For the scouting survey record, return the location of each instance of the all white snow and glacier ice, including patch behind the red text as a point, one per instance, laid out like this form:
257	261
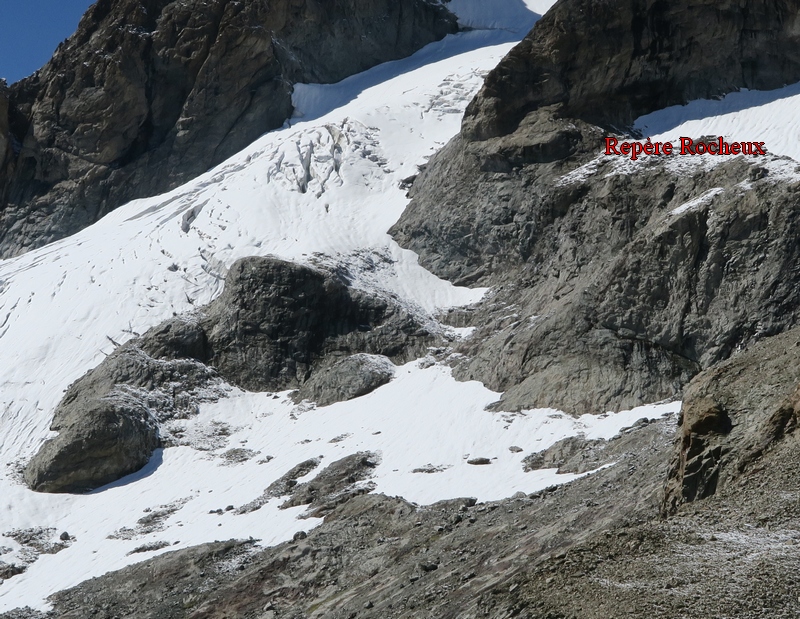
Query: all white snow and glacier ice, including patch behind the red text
323	190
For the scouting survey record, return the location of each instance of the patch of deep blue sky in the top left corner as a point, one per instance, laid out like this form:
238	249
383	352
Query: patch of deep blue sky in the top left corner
30	31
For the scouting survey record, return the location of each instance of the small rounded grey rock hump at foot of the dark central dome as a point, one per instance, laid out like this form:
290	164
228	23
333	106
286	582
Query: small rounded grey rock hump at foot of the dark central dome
350	378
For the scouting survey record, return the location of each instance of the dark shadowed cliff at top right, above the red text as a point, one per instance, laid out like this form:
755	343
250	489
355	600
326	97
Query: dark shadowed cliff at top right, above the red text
610	62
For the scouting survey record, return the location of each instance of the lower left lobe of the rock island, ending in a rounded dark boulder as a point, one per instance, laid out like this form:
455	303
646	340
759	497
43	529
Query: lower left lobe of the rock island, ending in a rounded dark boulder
108	421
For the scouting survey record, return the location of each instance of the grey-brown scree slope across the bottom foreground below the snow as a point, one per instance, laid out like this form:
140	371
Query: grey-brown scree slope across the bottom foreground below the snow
557	553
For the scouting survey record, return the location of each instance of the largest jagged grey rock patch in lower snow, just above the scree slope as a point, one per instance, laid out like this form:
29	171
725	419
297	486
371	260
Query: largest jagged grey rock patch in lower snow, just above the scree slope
335	484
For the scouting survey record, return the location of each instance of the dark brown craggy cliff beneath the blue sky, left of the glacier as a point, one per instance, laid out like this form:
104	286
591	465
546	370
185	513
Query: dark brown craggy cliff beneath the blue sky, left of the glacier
146	95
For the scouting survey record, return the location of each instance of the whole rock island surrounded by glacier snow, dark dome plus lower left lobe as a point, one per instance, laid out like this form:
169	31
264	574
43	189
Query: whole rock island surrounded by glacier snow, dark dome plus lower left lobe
274	324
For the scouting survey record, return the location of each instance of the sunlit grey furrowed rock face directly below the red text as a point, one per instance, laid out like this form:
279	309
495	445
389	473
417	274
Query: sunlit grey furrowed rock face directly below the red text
617	300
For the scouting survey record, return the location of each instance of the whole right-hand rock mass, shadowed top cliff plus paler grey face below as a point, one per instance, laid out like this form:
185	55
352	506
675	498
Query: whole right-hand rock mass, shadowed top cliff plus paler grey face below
614	283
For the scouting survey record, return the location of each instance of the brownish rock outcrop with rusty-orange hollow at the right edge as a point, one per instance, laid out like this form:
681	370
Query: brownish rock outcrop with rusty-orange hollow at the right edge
732	414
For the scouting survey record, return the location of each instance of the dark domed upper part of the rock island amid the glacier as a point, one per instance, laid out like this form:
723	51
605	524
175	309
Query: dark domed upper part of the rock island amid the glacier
276	321
